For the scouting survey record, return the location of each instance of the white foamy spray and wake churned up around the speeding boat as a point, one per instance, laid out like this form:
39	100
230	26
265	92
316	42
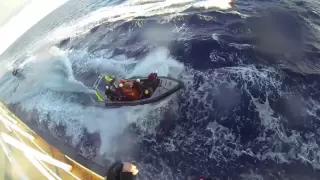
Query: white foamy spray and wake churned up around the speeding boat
47	85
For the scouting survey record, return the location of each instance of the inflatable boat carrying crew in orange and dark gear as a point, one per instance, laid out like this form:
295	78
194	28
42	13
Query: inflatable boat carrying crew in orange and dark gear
117	92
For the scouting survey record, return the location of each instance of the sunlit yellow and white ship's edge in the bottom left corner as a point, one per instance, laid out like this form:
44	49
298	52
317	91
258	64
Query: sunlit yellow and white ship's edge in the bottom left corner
25	155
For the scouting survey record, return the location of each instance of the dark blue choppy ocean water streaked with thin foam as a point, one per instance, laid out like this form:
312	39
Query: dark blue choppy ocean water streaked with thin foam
251	107
